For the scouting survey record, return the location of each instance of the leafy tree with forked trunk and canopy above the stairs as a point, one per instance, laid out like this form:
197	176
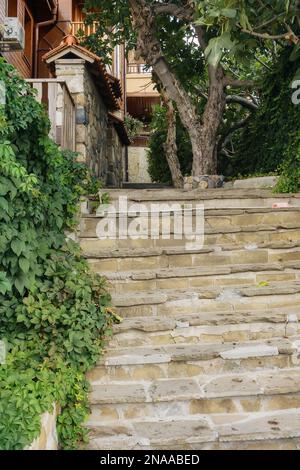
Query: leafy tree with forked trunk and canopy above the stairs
224	36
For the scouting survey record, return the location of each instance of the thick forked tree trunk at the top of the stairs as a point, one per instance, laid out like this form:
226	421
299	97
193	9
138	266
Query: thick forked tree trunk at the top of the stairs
203	135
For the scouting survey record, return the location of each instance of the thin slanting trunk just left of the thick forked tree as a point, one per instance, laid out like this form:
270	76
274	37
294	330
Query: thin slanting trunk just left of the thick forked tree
171	144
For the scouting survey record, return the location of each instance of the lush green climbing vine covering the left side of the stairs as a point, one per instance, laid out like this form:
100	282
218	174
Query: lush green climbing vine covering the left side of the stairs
54	314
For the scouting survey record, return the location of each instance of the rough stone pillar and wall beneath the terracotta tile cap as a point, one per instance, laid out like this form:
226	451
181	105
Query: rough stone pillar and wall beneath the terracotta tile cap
93	132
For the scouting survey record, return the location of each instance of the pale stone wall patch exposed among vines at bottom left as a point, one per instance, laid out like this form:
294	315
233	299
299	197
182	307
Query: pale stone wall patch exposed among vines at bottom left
47	439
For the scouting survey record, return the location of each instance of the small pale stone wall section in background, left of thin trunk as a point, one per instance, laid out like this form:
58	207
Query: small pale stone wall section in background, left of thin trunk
138	165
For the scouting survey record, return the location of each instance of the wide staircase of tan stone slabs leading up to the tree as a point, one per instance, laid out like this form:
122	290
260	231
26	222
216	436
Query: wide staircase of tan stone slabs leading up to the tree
208	354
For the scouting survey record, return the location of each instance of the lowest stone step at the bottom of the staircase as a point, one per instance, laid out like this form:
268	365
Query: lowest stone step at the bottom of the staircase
258	428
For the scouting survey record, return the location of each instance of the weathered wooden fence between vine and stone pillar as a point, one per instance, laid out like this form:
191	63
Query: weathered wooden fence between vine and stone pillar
56	97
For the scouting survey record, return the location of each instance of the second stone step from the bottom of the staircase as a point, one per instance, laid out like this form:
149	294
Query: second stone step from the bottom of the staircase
198	388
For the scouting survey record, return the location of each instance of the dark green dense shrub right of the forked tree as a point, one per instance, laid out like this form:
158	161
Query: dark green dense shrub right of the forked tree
267	141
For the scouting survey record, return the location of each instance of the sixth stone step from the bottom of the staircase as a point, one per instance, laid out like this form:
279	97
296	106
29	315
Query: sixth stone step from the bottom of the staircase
193	278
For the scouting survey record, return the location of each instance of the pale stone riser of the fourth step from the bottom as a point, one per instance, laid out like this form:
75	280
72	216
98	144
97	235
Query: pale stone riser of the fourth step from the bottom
206	334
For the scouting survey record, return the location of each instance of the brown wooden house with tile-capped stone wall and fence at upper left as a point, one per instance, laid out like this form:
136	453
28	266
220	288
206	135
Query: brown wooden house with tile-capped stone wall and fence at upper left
86	101
